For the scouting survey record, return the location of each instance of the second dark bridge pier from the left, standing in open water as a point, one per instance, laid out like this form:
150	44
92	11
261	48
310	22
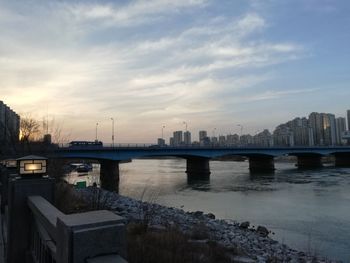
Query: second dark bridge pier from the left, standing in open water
197	168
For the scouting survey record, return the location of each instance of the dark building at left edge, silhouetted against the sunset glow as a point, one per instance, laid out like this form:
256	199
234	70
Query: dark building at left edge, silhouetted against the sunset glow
9	125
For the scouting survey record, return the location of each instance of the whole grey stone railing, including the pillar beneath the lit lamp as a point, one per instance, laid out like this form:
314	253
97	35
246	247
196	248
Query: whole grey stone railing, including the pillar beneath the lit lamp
37	232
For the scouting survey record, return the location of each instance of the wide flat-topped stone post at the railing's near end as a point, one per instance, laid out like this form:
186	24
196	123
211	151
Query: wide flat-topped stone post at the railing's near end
87	235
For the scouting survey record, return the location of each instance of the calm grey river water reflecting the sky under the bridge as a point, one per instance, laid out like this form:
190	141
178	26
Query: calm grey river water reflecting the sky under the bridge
308	210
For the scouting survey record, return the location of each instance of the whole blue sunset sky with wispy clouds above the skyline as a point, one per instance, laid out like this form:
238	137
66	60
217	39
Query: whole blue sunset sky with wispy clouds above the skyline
215	65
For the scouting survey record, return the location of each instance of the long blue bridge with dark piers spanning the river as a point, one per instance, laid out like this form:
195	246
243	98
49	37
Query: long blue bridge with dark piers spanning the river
261	159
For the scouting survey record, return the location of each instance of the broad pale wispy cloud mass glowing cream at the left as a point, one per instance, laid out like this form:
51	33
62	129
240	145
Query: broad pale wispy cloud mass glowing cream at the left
90	61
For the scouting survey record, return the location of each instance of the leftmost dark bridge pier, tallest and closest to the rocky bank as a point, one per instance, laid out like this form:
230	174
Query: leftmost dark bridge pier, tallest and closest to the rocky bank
109	175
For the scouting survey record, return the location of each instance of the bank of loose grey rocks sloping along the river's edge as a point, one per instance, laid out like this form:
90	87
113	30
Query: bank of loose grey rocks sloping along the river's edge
254	243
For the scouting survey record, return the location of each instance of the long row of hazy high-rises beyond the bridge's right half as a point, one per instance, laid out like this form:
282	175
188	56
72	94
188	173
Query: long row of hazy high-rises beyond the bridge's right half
318	129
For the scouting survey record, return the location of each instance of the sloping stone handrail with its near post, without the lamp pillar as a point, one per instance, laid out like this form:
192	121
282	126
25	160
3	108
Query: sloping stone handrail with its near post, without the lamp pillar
57	237
